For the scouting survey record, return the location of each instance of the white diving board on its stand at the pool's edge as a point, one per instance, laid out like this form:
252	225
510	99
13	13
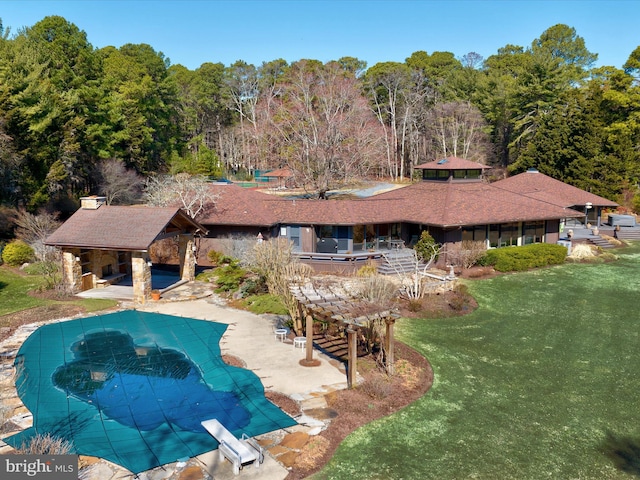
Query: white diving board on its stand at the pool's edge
238	451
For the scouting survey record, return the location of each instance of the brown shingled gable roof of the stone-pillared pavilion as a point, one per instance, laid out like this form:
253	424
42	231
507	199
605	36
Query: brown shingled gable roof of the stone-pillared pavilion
132	228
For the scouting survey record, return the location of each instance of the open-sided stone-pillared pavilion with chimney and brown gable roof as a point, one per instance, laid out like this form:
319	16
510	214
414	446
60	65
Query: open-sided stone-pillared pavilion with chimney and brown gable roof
107	246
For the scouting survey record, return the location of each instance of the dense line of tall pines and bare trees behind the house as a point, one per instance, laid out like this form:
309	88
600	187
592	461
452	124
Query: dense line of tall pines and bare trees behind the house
73	118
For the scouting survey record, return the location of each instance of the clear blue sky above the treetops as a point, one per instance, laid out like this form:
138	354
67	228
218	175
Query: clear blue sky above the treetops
191	32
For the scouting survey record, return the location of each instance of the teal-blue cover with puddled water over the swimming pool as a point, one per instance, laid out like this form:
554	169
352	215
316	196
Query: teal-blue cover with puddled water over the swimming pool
132	387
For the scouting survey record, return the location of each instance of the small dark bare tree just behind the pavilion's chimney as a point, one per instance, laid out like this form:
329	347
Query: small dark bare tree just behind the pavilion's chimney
118	184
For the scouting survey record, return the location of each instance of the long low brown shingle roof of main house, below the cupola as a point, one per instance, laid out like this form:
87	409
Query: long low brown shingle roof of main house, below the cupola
429	203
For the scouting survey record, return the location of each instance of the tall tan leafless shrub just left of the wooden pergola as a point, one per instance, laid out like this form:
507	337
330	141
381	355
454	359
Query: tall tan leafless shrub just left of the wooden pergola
274	260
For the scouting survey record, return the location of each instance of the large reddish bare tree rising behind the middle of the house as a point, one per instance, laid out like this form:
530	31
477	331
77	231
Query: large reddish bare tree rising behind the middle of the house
322	127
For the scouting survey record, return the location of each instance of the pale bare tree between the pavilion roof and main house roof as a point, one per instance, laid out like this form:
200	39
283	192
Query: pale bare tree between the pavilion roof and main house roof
191	192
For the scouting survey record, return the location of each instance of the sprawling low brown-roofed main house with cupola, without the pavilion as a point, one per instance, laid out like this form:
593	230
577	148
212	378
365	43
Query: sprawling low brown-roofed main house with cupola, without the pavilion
453	202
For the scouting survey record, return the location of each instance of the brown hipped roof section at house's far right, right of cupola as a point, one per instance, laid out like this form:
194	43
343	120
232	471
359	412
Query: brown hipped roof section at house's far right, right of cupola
539	186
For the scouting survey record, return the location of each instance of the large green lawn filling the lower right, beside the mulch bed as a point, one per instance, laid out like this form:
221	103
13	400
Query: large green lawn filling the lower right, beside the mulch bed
539	382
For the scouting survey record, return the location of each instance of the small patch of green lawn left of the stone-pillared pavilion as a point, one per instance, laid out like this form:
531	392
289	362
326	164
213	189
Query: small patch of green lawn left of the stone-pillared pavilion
14	297
